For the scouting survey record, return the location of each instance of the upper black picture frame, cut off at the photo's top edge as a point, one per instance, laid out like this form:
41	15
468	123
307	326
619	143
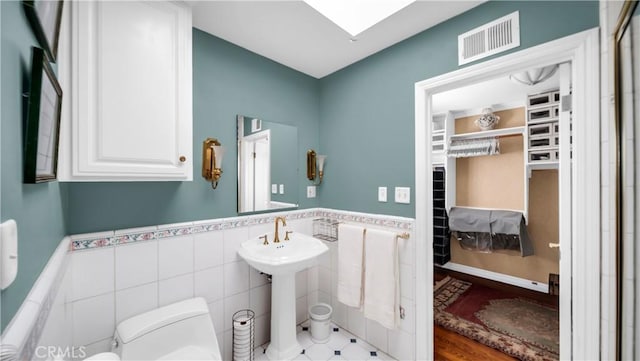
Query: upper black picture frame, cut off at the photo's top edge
44	16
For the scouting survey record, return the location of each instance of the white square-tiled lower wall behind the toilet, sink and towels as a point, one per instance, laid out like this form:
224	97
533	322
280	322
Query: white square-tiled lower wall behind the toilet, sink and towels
106	285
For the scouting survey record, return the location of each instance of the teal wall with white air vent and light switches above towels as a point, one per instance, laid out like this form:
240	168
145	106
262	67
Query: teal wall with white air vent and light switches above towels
367	109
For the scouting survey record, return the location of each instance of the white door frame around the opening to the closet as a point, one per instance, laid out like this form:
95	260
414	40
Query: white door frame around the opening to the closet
582	50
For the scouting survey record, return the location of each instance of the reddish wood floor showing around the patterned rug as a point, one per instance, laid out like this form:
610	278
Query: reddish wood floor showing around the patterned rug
450	346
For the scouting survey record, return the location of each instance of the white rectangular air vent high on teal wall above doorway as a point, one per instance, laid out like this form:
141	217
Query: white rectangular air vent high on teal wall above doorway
492	38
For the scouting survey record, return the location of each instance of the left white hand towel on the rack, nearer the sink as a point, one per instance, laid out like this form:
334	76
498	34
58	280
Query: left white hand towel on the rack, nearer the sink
350	247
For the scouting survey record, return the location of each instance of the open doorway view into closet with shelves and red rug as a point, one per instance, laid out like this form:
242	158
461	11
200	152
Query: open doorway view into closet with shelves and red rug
518	184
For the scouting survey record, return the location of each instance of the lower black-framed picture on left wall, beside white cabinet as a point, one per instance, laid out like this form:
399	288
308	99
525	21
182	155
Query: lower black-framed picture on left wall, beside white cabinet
42	126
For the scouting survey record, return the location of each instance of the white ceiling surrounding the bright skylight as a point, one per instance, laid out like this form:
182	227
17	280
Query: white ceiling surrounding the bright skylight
294	34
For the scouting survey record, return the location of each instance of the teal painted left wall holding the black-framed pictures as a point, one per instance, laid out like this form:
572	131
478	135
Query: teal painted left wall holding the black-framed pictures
38	209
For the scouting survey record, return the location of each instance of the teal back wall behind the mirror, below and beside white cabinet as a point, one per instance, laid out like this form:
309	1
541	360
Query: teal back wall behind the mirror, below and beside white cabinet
227	80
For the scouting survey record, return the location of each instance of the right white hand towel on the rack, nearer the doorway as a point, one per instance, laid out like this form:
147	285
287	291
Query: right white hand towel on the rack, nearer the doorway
381	279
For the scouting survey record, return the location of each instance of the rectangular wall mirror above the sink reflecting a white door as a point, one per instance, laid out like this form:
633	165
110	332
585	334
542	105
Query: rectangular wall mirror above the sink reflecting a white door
267	167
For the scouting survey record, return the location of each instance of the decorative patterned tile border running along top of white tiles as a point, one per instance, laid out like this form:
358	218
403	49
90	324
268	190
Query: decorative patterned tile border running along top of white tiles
97	240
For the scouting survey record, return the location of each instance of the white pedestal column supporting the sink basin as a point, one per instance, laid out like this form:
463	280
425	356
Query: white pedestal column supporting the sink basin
284	344
